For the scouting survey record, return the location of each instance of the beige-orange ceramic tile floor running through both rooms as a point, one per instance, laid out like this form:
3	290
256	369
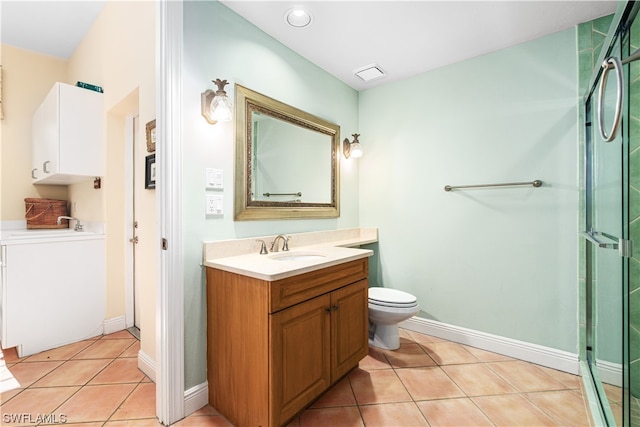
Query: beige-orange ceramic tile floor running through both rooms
427	382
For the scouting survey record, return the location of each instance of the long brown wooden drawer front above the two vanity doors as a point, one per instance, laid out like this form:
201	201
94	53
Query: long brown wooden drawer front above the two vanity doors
296	289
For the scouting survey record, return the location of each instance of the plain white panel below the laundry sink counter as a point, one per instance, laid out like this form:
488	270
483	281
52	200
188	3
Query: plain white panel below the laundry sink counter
60	301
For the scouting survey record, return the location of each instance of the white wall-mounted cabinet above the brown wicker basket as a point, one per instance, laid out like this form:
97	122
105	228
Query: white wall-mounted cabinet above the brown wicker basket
68	136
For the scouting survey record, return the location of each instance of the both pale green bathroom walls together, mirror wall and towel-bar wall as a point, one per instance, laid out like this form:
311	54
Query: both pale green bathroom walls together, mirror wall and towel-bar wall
501	261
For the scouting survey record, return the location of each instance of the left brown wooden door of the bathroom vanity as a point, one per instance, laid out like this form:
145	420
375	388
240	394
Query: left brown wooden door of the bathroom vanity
300	365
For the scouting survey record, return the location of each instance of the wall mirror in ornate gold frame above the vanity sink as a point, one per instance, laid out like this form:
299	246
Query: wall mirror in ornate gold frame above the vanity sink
286	161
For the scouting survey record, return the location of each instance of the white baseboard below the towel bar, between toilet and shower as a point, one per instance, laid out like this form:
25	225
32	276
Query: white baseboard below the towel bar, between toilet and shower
534	353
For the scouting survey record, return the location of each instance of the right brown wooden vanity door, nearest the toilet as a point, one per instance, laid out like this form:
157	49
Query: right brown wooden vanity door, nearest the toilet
349	327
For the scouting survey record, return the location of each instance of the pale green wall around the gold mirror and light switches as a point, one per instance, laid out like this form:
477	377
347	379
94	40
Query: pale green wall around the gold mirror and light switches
220	44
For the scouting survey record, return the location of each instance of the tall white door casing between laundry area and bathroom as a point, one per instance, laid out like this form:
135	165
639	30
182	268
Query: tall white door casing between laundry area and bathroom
170	286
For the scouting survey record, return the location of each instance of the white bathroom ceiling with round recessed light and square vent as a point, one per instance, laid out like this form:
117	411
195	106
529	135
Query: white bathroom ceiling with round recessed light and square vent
405	38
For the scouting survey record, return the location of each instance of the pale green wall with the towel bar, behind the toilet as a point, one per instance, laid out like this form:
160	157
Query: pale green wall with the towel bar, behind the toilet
501	261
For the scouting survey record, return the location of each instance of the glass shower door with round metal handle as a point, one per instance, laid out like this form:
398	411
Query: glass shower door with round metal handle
607	234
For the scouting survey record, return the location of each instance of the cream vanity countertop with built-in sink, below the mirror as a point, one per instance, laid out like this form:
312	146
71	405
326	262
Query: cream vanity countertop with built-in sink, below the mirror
269	267
